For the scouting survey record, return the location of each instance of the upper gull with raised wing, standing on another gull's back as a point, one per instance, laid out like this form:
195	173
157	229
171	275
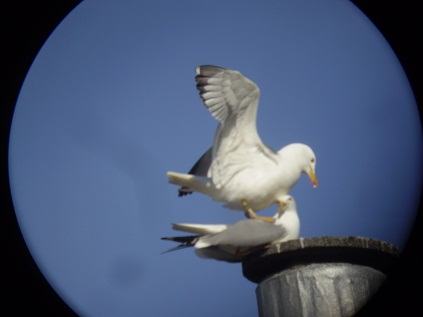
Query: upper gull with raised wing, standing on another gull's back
239	169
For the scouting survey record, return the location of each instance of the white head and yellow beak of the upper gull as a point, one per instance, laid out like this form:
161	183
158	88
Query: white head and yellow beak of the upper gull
303	156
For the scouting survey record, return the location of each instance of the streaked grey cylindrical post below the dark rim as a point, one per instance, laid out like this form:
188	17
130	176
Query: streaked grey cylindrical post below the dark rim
327	290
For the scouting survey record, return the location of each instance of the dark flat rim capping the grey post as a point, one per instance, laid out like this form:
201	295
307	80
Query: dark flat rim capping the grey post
377	254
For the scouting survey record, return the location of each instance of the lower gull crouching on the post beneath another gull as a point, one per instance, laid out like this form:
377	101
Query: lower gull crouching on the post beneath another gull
232	243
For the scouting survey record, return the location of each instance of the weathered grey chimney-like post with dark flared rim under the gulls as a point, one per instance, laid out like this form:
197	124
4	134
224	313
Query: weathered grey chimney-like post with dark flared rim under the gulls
325	276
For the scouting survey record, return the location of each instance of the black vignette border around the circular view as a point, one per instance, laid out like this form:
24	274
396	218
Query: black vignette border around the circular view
26	25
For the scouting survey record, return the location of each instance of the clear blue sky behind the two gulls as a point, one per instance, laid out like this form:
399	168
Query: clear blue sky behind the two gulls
110	105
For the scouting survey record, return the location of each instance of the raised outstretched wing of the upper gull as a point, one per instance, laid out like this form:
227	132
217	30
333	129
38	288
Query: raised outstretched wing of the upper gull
233	100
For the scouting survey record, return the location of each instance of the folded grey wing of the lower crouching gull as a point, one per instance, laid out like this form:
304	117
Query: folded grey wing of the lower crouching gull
246	233
